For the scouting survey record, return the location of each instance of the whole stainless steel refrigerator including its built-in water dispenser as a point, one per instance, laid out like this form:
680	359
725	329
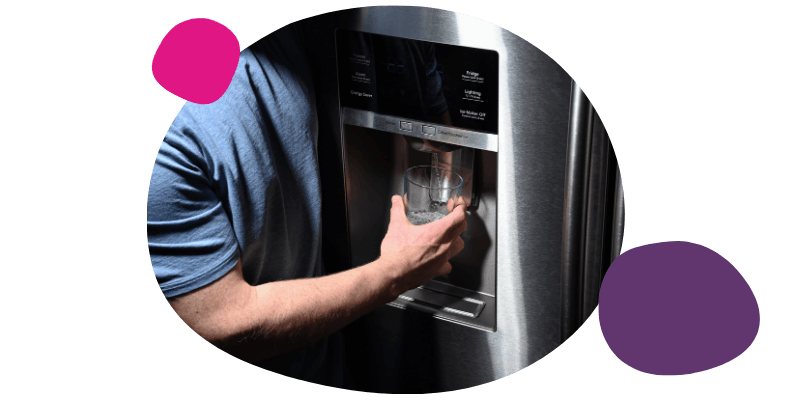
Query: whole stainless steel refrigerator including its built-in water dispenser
545	216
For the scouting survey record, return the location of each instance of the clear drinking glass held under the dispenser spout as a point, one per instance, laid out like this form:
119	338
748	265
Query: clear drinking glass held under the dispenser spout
427	191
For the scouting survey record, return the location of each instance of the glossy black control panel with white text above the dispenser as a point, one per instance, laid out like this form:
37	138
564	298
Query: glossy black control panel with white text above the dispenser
432	82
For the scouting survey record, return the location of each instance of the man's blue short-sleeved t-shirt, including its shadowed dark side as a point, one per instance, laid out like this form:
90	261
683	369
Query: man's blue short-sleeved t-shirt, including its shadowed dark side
238	178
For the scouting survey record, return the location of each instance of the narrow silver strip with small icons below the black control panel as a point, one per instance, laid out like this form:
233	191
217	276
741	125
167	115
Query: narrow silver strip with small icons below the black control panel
443	134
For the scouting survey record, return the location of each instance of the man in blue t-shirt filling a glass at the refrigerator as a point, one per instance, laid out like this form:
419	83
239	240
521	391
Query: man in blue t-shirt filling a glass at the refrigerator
233	224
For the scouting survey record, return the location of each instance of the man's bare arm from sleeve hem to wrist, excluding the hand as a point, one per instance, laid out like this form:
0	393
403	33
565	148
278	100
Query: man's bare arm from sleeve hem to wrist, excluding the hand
254	323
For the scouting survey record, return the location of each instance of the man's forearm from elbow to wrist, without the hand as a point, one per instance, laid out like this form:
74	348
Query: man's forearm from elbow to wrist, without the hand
278	317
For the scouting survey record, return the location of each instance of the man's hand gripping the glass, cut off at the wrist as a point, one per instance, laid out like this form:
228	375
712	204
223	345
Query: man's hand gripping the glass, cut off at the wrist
413	254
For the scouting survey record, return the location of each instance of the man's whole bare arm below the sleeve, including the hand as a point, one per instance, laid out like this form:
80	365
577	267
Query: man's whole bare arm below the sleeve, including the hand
254	323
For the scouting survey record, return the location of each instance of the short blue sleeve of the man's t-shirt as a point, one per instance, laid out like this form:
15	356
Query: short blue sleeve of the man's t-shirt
189	235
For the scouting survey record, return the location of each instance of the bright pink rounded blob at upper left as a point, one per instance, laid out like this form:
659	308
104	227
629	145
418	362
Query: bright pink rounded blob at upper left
196	60
